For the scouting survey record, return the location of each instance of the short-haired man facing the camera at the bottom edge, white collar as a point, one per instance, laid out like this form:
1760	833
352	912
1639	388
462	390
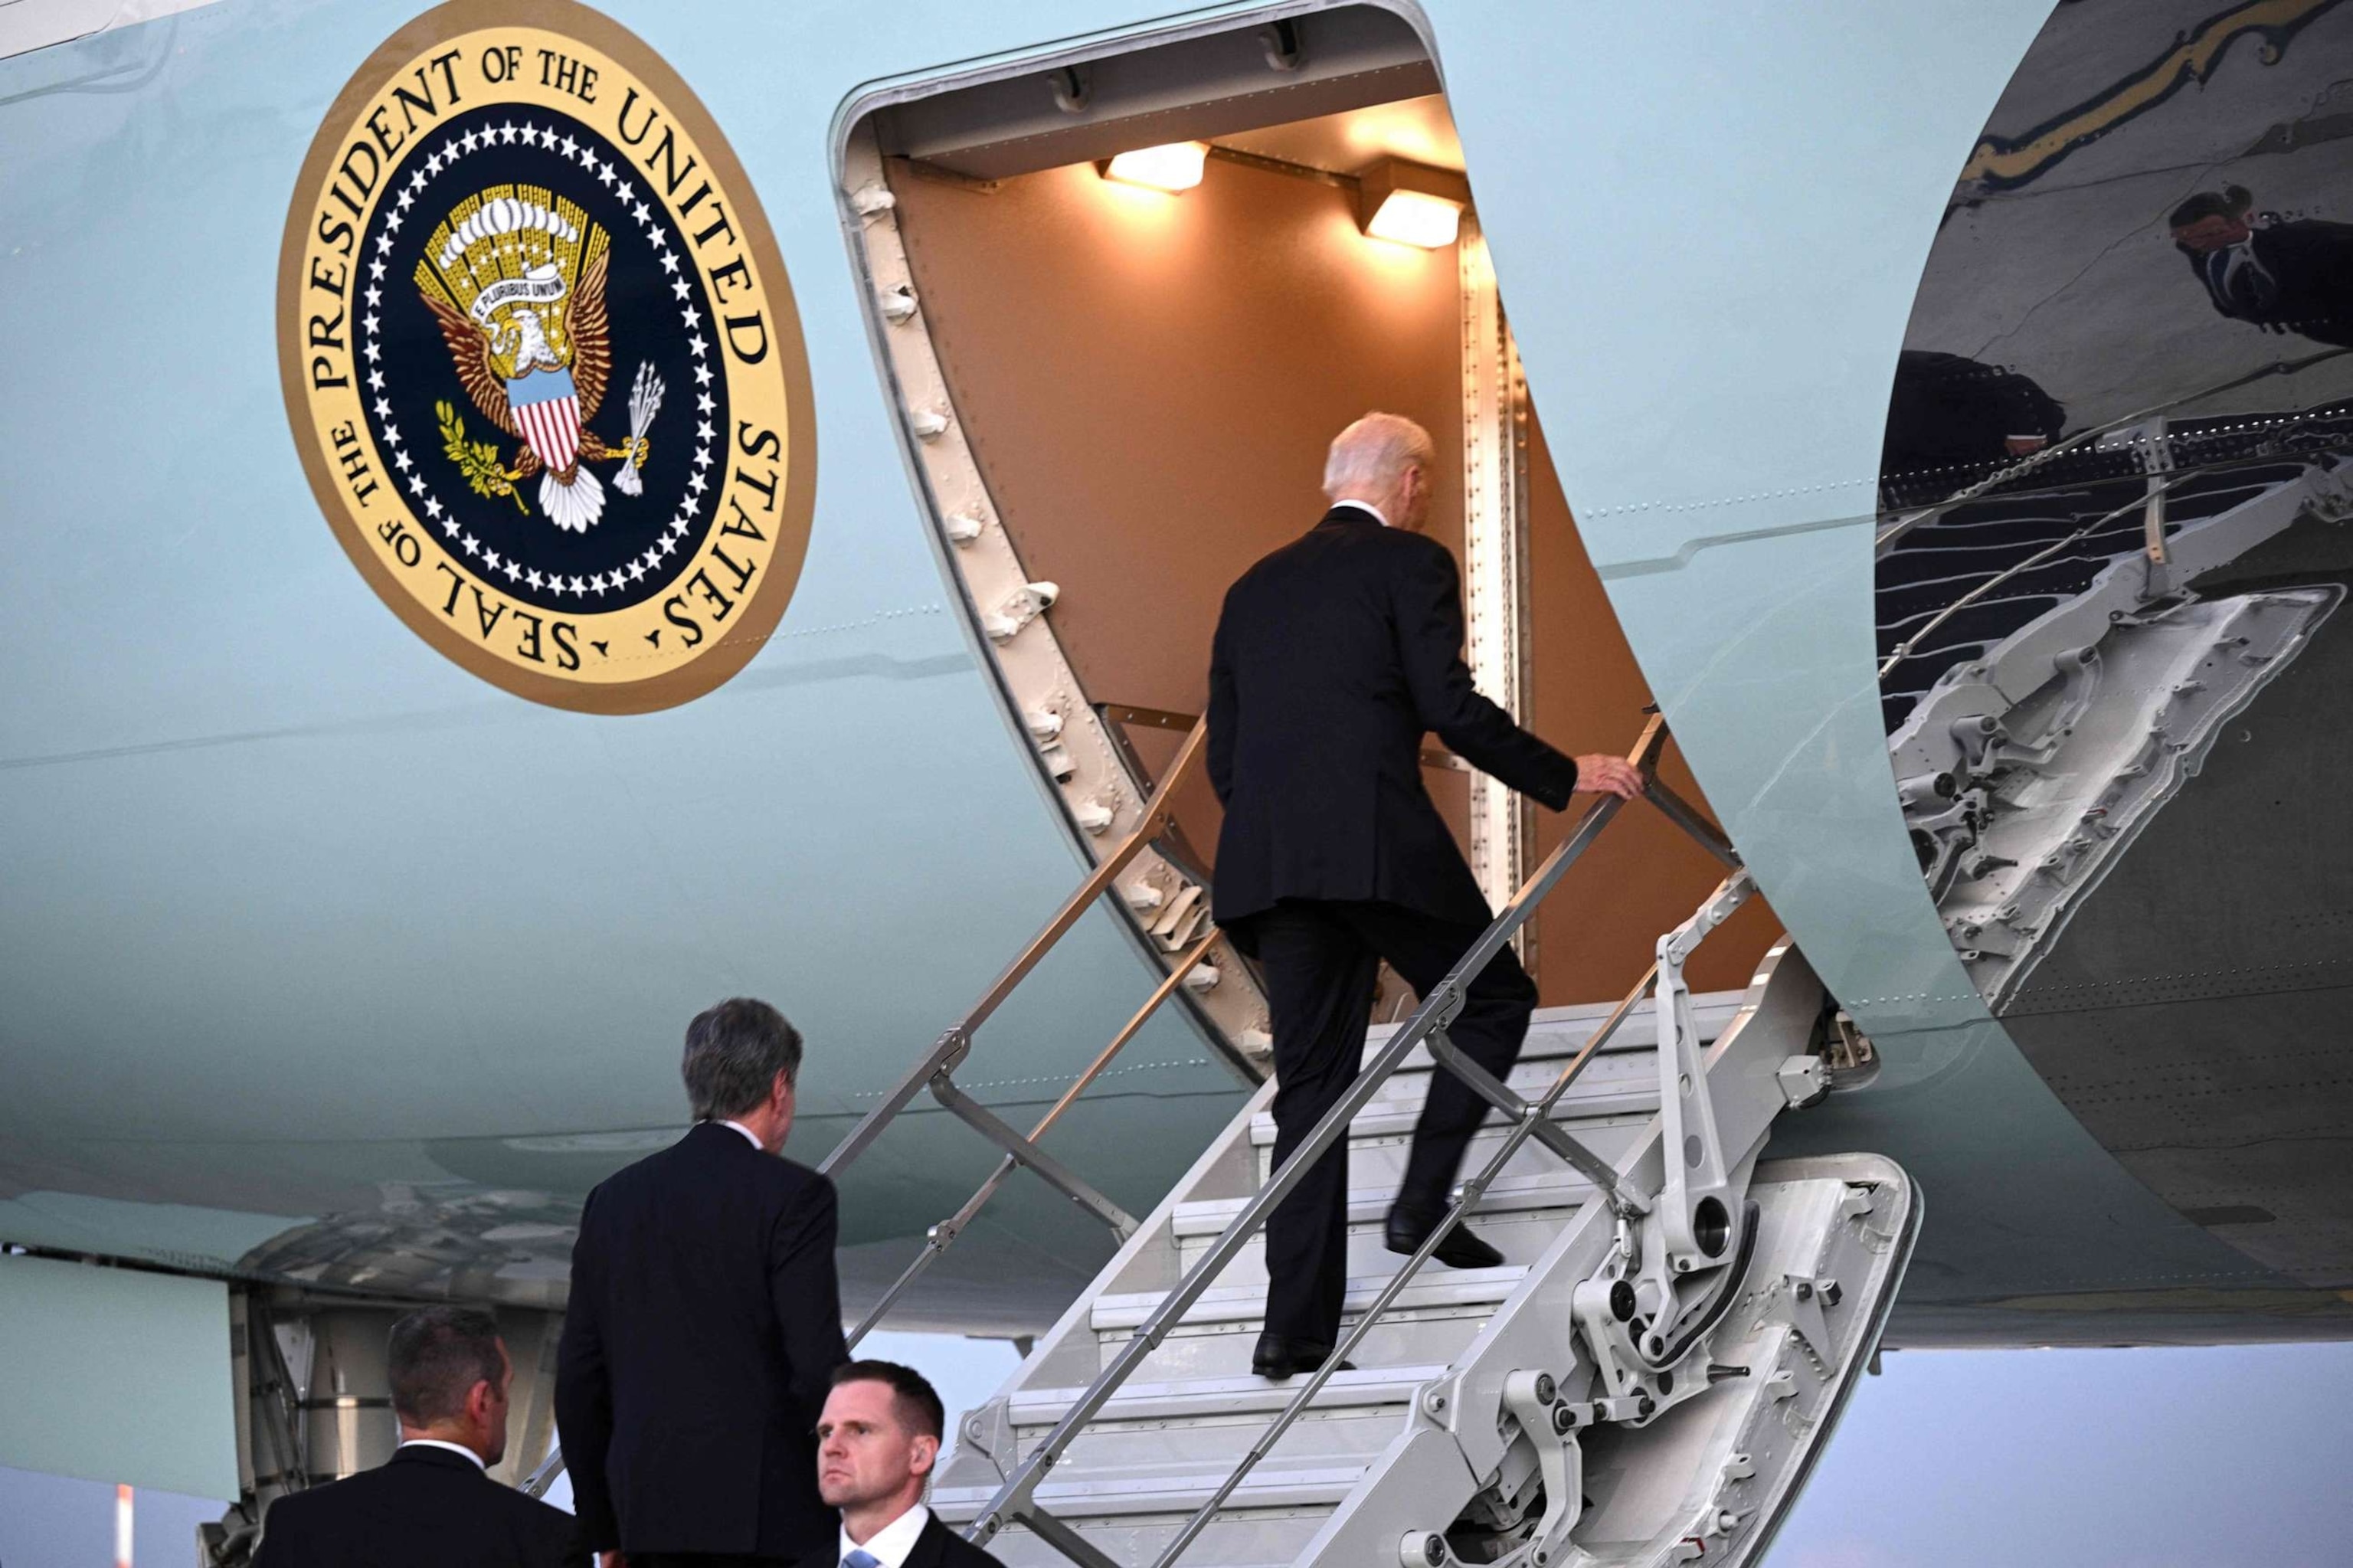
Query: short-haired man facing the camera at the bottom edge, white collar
876	1447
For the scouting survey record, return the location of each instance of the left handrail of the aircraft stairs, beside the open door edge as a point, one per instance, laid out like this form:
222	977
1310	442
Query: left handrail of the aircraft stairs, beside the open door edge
935	1070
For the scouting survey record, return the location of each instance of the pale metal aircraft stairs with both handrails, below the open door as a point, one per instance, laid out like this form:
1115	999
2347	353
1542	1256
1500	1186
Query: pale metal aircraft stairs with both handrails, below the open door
1646	1381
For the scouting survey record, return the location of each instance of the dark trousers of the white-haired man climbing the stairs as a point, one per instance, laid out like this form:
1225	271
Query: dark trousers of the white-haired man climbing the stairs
1321	959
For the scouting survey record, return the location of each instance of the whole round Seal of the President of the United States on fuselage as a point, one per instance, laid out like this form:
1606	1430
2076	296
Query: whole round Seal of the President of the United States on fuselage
542	359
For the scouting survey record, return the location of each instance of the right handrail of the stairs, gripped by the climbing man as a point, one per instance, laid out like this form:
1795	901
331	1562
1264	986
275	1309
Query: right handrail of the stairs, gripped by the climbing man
1018	1496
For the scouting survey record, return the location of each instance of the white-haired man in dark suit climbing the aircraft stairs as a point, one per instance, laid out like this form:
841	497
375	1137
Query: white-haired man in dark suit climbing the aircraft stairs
1333	660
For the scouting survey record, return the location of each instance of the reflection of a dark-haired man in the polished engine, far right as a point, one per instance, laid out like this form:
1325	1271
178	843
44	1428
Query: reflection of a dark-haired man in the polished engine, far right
2277	274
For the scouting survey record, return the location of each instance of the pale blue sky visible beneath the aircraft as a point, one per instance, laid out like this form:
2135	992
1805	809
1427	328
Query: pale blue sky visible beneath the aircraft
2154	1459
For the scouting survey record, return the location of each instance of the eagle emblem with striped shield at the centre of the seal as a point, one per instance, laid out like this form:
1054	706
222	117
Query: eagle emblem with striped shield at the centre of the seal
516	284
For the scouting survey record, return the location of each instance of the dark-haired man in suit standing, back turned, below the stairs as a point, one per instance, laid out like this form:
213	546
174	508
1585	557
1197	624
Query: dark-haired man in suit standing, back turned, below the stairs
705	1324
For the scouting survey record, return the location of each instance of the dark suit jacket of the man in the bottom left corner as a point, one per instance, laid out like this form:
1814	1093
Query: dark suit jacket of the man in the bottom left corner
425	1506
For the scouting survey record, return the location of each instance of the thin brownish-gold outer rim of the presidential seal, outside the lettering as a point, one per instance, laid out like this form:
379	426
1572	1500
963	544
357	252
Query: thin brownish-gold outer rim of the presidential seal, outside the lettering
731	651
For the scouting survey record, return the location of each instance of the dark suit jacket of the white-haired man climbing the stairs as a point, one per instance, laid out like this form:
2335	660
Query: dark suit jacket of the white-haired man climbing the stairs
1333	660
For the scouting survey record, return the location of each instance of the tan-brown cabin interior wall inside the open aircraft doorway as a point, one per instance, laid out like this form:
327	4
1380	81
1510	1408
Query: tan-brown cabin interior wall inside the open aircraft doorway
1149	385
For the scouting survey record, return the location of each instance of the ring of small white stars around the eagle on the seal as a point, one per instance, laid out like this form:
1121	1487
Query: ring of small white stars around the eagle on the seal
613	178
